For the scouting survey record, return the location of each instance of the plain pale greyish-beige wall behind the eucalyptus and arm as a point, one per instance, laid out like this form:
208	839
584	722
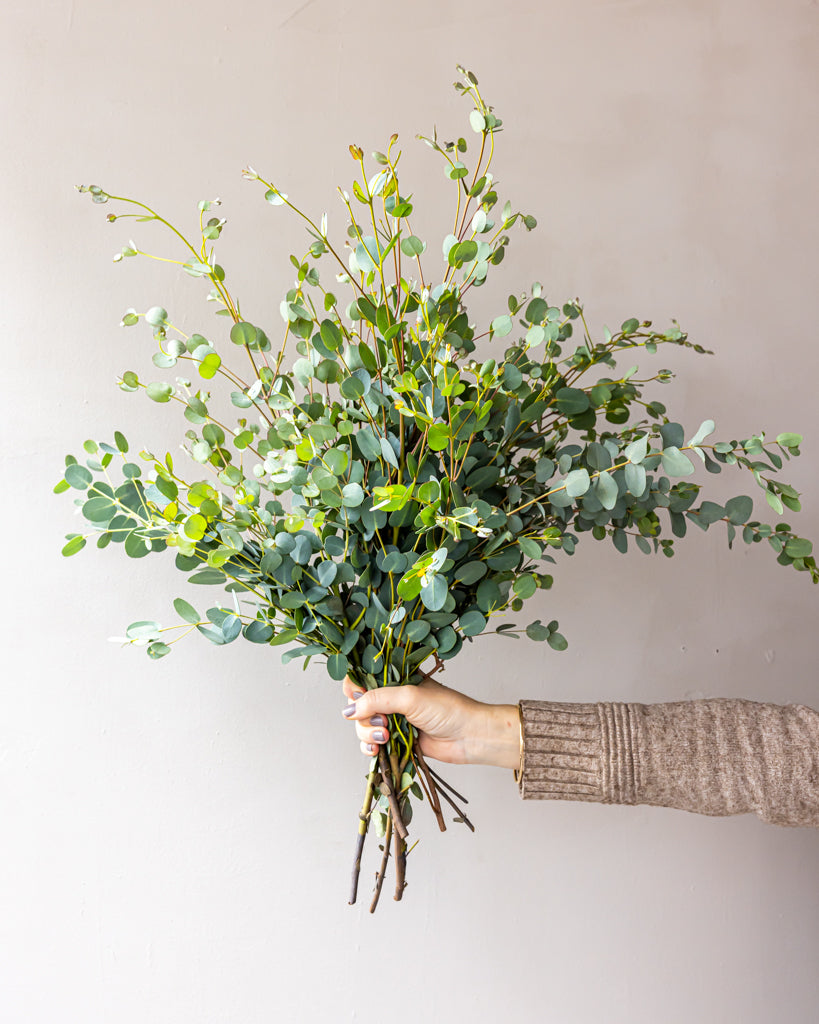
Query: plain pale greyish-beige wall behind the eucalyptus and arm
177	837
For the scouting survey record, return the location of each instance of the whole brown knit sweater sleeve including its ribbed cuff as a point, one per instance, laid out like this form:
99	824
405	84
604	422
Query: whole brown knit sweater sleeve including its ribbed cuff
709	757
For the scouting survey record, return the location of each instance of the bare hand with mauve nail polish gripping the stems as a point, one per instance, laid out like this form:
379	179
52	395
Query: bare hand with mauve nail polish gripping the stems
452	727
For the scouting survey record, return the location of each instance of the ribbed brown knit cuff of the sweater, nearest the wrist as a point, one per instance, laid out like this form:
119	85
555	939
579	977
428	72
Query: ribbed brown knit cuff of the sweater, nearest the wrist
578	752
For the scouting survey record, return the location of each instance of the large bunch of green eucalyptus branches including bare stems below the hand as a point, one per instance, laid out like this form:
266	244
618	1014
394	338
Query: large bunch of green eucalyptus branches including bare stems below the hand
379	500
